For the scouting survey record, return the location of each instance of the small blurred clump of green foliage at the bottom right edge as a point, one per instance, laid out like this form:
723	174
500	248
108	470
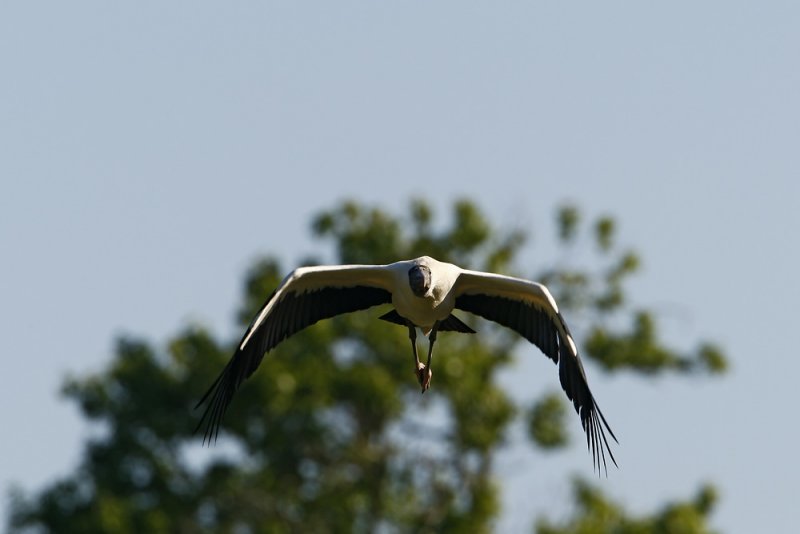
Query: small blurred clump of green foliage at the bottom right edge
596	514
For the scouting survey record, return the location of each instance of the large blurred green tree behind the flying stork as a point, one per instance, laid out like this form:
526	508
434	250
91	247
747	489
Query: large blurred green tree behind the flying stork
330	434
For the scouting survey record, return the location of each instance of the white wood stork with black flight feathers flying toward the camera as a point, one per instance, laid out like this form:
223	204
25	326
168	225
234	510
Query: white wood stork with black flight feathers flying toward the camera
424	293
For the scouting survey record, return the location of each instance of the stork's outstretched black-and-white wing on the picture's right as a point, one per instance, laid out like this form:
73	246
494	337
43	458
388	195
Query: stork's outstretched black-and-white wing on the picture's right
529	309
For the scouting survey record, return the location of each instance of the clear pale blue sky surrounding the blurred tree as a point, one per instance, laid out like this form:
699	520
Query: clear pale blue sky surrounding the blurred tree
149	152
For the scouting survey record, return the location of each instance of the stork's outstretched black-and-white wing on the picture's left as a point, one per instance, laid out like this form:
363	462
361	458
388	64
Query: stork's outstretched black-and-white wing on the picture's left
307	295
